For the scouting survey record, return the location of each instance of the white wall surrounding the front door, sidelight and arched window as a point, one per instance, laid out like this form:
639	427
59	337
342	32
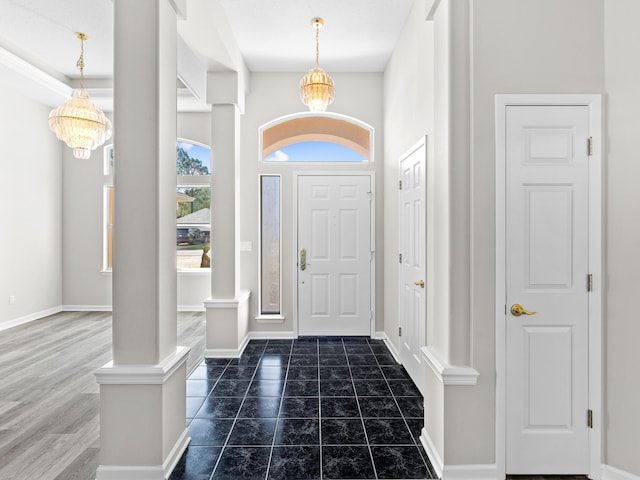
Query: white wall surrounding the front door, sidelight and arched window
275	95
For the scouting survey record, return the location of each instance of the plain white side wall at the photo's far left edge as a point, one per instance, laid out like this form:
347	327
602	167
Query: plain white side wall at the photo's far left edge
30	195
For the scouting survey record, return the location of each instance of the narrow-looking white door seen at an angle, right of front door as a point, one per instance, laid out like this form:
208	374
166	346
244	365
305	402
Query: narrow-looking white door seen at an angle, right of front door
412	226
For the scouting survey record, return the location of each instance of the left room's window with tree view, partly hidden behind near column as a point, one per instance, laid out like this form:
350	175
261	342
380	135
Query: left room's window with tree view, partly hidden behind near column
193	202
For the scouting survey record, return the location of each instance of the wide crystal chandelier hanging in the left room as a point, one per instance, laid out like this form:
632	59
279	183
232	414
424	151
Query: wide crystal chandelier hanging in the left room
79	123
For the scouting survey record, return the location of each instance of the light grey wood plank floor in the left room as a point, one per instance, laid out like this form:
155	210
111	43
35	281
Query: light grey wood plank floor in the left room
49	398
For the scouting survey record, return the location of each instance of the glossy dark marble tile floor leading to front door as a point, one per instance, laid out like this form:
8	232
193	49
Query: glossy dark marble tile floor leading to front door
311	408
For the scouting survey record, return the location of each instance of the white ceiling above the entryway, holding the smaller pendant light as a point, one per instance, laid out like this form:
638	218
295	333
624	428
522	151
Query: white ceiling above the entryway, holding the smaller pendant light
276	35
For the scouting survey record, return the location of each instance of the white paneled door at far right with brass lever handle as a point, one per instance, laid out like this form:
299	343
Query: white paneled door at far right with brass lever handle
547	267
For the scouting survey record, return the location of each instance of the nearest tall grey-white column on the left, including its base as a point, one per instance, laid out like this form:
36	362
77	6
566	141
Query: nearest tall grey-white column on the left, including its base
143	390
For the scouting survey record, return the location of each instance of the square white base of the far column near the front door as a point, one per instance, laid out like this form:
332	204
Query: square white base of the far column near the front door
227	326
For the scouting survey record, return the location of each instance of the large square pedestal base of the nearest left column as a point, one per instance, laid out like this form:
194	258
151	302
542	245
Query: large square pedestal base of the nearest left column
143	430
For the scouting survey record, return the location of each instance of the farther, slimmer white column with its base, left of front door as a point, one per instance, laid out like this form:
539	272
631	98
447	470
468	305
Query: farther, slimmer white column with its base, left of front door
228	307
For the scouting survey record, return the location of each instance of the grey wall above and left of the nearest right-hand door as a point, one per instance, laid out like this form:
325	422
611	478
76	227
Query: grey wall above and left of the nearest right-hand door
511	55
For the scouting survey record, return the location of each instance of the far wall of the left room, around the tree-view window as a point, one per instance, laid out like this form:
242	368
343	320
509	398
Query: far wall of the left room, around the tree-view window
85	286
